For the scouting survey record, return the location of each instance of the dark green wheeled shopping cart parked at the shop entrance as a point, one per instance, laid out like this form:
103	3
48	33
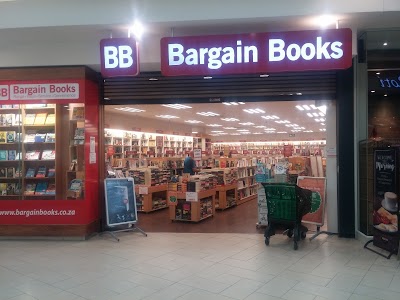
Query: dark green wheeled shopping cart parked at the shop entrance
287	204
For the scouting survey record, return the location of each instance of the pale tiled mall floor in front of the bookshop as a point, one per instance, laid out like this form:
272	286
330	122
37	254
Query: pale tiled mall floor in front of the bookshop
211	266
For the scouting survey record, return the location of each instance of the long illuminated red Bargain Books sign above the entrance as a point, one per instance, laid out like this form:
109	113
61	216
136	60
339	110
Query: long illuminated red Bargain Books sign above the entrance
257	52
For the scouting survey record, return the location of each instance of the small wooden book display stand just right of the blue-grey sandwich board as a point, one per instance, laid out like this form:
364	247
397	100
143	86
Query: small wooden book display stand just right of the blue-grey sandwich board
147	197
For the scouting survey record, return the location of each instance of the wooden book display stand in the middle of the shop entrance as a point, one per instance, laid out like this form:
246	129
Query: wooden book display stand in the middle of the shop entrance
198	204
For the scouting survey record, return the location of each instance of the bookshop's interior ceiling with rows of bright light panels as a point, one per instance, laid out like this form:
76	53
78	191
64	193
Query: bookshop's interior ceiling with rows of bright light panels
278	112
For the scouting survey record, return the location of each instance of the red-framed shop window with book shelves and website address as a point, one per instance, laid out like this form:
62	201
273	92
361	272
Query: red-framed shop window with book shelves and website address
48	151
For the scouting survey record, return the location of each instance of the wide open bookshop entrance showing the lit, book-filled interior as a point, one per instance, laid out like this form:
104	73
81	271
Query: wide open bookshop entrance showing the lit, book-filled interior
150	142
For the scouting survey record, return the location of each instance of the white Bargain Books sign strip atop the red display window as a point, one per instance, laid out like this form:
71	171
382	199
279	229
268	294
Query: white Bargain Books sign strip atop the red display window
39	90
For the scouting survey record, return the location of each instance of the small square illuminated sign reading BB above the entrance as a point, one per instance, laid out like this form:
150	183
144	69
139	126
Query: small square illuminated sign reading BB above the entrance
119	57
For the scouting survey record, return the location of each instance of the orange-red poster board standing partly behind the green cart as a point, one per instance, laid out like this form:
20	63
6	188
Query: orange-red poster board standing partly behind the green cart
318	186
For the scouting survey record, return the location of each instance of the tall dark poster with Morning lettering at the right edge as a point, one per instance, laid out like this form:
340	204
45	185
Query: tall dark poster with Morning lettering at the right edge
385	219
